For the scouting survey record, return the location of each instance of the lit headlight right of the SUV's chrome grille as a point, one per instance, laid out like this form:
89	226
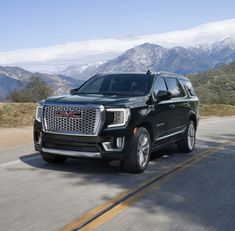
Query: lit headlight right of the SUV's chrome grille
120	116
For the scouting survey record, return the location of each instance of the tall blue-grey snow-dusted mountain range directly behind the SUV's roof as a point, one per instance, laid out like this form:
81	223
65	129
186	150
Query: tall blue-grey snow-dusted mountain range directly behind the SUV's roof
154	57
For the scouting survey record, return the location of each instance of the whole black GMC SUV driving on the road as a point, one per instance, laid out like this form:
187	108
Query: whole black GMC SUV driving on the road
122	116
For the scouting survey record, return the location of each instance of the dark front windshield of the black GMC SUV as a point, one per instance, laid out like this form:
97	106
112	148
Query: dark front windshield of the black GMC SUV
118	84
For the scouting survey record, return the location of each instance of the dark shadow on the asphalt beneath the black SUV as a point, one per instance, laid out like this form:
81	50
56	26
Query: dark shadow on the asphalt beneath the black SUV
160	159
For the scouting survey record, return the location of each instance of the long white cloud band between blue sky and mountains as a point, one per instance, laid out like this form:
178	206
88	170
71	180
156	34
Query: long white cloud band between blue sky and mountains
97	50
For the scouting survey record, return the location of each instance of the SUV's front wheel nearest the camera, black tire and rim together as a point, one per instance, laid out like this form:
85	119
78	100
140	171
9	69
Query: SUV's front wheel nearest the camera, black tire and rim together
137	158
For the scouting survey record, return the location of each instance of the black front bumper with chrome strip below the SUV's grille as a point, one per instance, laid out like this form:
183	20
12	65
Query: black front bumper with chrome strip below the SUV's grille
83	146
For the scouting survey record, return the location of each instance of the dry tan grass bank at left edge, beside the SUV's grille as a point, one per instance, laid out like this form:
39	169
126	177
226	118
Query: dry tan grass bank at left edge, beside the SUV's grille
17	114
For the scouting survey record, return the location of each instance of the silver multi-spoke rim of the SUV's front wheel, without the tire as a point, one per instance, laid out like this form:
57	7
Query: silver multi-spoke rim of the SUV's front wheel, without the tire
143	150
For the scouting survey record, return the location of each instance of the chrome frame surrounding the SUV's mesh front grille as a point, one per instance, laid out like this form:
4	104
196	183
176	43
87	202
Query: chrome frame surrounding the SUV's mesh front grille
100	125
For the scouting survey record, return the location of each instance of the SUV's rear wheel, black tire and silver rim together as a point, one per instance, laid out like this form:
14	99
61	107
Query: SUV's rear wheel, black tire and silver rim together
188	141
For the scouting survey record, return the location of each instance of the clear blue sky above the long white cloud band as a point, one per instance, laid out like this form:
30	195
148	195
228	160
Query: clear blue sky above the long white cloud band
31	23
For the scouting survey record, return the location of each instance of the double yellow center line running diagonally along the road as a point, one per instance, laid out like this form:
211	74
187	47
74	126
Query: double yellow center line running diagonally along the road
104	212
